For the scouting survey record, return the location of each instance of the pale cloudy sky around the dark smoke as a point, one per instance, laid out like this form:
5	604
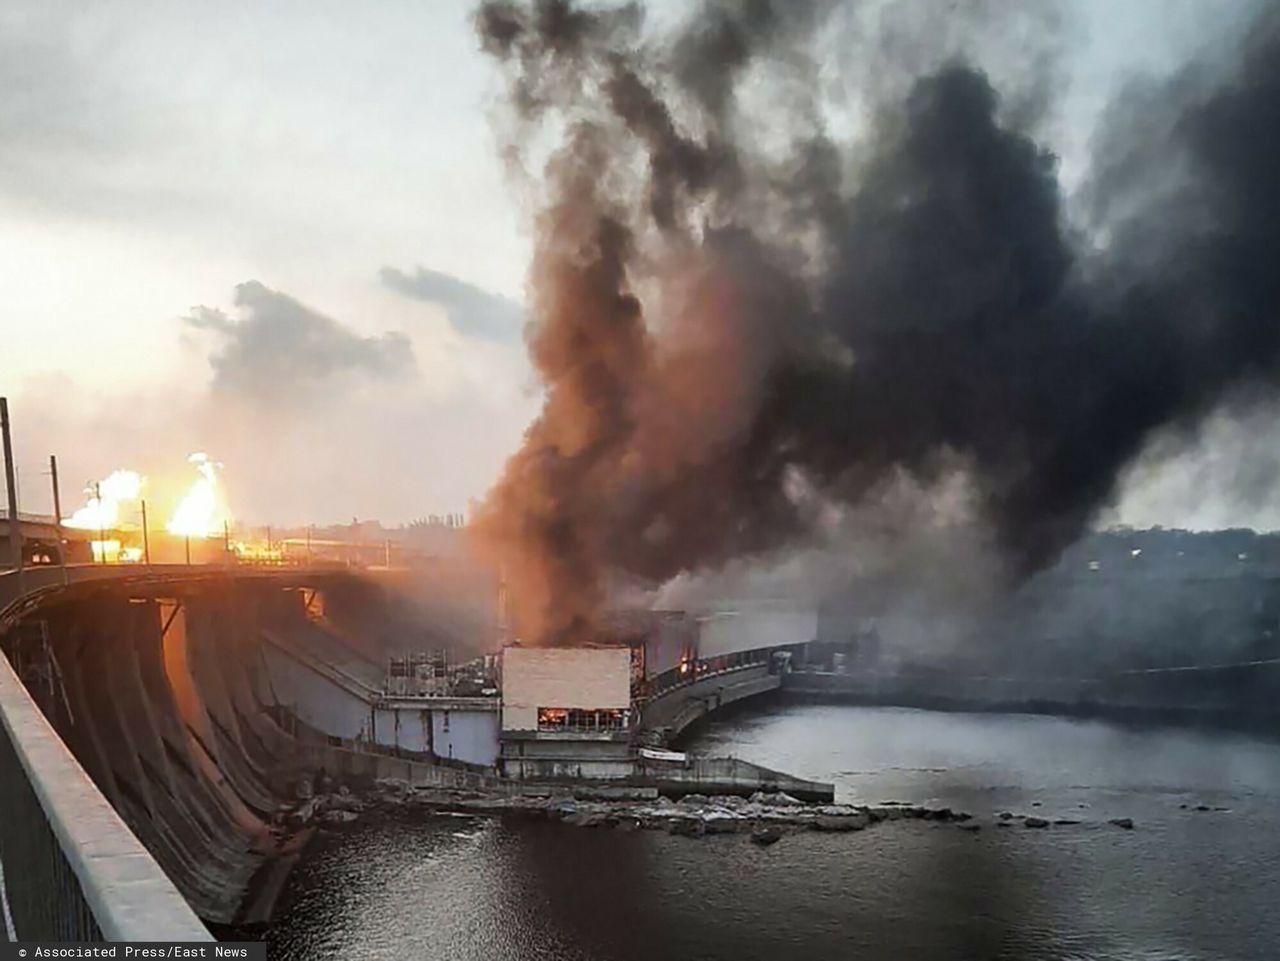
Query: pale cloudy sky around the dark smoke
284	234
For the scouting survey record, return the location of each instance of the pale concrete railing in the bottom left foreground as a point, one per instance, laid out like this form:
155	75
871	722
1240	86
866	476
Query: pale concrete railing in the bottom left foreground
70	868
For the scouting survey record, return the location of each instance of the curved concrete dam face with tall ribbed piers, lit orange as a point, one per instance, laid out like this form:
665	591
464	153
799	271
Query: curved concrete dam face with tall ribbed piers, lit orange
185	716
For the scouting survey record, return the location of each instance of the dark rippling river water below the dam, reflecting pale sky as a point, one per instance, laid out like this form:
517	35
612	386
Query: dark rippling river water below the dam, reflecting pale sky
1182	885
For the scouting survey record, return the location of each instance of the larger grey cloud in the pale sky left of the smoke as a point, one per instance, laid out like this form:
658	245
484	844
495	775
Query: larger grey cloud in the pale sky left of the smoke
282	349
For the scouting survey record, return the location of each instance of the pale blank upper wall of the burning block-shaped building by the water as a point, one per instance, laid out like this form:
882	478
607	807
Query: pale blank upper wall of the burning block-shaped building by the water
563	678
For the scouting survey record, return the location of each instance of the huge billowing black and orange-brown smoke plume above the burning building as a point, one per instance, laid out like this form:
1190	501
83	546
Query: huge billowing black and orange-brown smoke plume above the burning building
737	335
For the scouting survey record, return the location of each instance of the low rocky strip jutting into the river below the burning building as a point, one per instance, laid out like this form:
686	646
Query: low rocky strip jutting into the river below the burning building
767	818
